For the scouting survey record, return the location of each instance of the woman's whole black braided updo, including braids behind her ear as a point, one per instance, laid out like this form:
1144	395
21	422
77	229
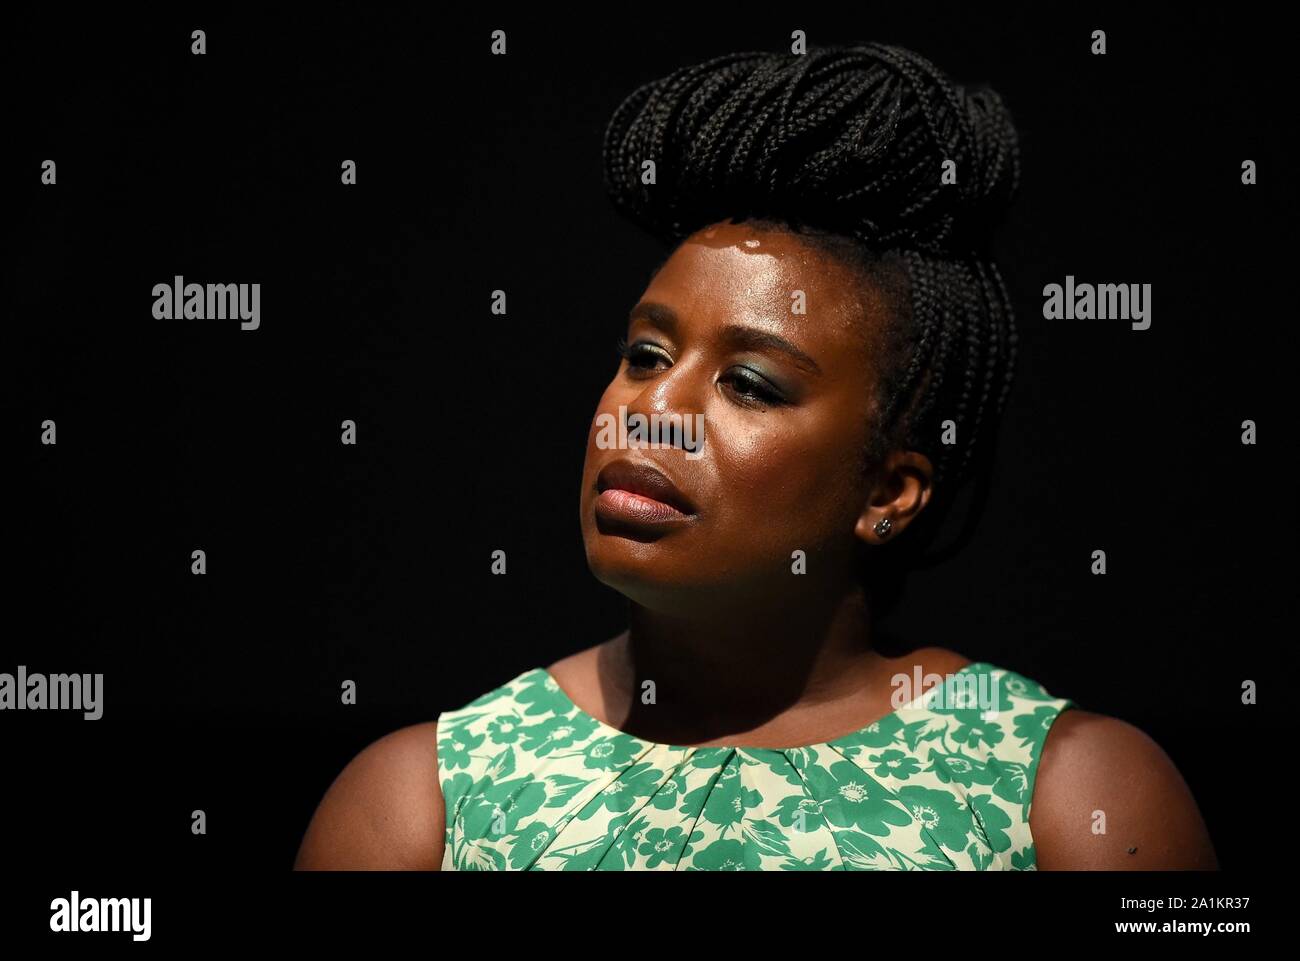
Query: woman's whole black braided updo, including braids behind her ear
847	146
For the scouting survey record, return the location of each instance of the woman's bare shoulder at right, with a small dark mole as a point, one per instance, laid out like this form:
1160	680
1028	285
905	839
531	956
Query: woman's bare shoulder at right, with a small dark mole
1108	798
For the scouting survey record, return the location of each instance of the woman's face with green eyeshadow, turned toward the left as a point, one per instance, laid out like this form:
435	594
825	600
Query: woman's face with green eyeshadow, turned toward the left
785	400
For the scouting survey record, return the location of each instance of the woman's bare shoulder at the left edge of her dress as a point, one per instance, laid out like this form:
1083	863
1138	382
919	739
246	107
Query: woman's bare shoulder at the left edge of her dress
384	811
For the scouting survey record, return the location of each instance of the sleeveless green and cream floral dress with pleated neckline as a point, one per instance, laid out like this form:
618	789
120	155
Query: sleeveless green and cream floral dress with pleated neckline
532	782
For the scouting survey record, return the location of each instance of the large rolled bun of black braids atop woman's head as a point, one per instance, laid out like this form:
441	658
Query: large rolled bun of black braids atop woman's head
844	138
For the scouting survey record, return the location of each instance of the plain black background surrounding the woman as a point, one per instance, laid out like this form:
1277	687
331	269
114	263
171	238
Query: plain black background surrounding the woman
478	174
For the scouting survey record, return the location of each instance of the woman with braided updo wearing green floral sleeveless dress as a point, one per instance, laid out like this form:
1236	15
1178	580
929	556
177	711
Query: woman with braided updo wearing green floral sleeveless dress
831	319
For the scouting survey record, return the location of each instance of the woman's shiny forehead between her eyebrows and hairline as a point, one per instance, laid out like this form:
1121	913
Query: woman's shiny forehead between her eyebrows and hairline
746	274
